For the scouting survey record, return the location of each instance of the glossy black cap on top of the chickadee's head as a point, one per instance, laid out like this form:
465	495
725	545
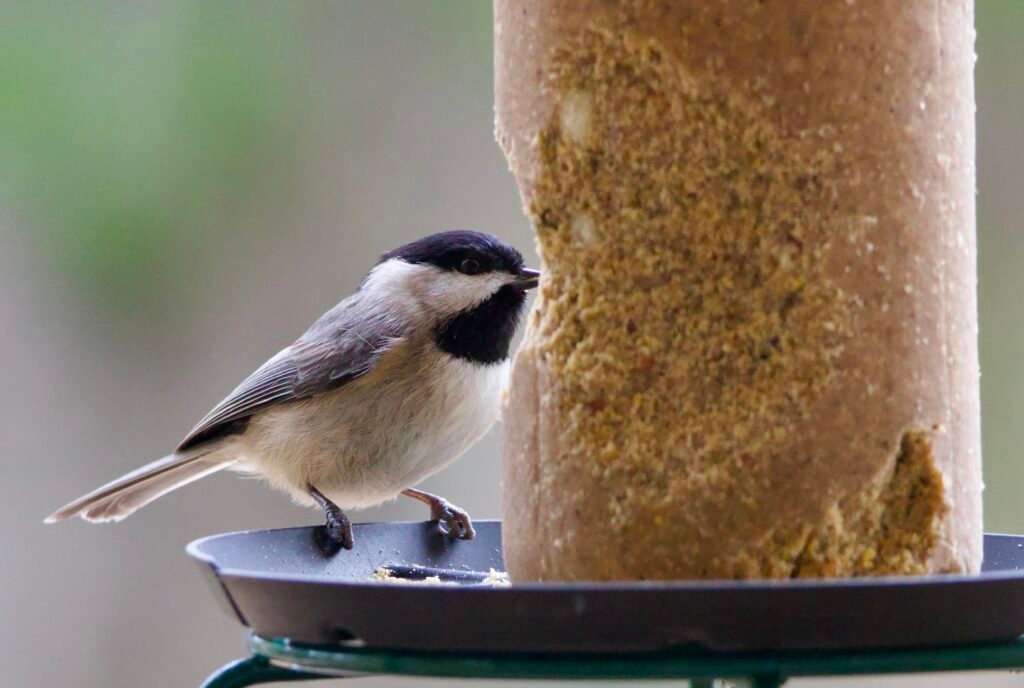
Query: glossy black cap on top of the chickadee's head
448	250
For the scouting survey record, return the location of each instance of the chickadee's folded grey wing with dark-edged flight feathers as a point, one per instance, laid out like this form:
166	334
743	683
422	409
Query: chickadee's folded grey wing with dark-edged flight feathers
323	360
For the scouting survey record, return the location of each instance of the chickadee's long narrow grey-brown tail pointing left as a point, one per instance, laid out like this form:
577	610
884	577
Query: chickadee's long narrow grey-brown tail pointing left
131	493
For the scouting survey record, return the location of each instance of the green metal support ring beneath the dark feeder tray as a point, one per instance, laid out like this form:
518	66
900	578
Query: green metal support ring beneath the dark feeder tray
279	660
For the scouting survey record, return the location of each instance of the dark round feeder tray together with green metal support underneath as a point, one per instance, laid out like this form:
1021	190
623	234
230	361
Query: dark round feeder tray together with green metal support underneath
316	612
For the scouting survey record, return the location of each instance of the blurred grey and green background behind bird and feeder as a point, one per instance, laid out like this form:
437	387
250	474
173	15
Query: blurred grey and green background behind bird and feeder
185	188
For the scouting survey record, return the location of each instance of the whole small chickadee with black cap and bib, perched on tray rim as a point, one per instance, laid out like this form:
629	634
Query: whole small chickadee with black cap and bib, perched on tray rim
389	388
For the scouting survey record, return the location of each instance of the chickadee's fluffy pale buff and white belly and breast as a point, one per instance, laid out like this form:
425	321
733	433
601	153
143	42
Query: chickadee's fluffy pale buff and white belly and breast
373	439
